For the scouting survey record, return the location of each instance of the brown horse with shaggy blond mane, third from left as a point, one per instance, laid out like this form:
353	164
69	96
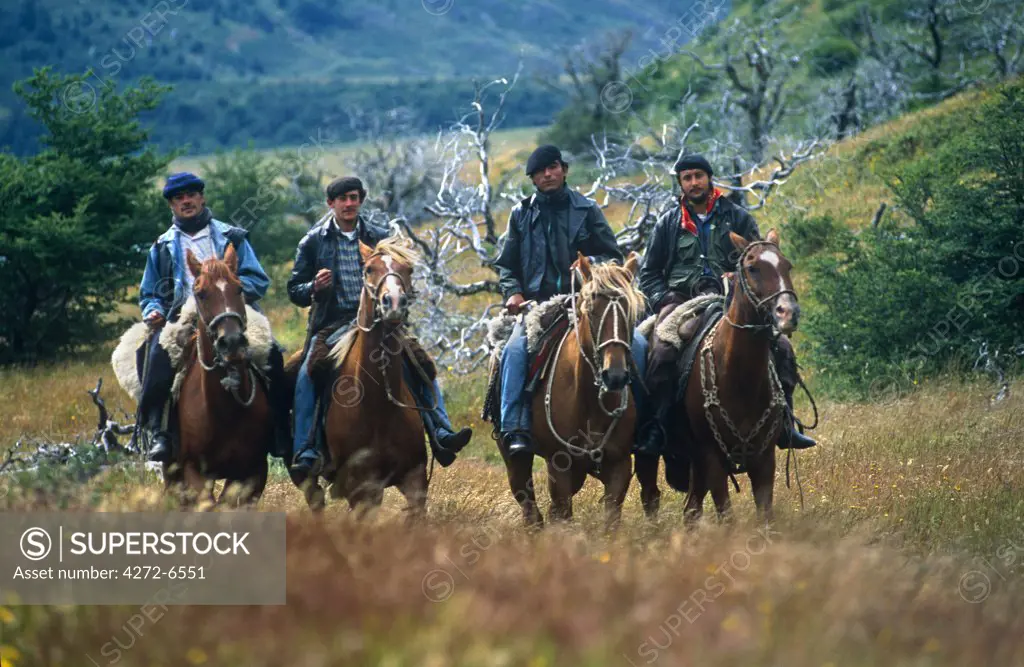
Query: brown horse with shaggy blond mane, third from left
584	419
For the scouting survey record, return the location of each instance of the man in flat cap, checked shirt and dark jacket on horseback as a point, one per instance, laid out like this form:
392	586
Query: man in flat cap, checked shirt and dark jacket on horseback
328	275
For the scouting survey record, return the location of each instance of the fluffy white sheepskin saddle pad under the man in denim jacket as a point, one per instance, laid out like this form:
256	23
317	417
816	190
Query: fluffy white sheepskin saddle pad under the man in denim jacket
127	359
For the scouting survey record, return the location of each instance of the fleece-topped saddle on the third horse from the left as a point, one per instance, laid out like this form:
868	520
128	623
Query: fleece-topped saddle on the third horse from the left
545	325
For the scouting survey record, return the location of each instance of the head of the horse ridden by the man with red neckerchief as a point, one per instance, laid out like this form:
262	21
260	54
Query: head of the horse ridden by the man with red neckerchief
763	278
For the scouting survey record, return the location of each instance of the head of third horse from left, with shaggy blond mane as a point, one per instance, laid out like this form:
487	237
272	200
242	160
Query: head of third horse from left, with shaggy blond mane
612	307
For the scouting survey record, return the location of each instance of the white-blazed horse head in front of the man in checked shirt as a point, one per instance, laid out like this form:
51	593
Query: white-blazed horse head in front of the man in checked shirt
388	282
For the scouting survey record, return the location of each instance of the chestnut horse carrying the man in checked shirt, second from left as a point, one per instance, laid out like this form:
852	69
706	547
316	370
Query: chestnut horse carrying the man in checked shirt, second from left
373	429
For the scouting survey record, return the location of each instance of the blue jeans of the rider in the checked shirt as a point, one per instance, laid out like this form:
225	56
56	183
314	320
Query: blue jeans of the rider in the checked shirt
437	423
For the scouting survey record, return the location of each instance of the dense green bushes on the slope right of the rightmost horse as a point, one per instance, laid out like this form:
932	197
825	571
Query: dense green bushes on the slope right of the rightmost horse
932	284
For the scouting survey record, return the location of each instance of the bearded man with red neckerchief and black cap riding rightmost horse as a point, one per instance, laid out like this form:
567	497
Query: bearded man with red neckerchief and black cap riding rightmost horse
689	253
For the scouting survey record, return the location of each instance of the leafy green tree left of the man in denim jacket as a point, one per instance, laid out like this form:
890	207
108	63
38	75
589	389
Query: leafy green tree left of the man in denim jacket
76	220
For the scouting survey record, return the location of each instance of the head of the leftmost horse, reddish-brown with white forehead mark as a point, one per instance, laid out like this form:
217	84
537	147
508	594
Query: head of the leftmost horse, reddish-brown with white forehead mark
221	305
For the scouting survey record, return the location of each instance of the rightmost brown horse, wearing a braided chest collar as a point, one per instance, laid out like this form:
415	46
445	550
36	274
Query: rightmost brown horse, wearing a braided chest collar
735	402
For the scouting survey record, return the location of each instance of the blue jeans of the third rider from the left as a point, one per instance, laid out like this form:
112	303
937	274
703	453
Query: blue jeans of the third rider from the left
516	406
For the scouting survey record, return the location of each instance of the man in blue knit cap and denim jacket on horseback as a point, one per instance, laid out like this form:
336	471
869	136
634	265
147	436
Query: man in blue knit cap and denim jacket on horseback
167	284
